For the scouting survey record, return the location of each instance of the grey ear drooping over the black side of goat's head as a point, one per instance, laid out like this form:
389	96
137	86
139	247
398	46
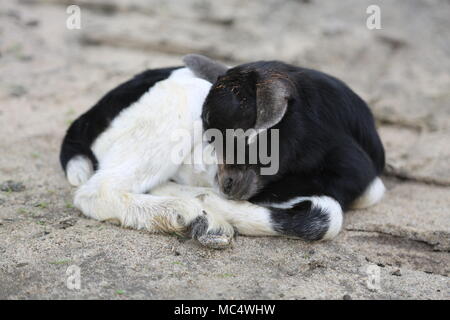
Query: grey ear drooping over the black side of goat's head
272	96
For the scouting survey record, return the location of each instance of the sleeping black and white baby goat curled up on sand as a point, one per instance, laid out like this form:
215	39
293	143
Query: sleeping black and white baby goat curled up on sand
119	153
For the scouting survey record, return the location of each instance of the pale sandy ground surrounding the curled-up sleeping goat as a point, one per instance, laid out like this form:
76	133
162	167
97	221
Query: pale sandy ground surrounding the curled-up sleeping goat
49	75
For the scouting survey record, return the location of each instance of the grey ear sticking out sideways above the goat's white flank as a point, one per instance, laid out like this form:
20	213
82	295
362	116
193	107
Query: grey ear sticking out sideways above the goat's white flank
203	67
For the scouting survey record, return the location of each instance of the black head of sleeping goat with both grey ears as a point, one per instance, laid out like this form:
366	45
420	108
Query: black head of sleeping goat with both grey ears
251	98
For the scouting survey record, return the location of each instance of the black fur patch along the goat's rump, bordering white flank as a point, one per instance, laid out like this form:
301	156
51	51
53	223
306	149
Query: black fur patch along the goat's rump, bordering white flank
83	131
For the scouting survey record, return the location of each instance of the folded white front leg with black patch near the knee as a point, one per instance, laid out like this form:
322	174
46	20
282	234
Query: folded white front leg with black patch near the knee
307	217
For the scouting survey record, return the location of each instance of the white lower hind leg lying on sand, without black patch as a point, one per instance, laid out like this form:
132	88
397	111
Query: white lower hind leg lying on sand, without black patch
101	199
